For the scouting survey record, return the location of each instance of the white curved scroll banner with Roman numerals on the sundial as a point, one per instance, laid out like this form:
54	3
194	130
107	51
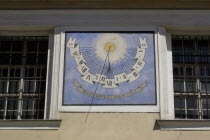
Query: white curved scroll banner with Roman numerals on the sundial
100	78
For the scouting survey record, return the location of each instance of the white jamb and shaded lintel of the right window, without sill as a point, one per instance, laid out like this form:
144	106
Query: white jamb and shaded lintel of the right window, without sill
166	66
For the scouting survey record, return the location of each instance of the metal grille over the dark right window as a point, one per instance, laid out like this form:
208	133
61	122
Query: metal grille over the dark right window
191	73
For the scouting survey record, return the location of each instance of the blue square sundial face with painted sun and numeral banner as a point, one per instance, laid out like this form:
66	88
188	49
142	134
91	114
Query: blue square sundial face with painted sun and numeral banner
109	68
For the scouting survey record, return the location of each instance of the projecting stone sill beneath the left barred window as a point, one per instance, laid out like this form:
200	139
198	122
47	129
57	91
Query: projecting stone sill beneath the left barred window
30	124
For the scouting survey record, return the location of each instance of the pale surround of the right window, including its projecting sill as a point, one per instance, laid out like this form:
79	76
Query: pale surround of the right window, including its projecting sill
167	119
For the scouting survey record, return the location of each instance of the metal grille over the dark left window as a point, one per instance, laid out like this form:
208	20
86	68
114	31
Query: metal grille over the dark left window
23	65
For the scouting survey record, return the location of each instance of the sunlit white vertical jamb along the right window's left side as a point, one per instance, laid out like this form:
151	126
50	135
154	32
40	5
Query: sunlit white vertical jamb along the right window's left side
166	75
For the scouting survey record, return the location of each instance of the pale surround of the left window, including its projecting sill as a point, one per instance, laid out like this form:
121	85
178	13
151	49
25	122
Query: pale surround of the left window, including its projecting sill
51	114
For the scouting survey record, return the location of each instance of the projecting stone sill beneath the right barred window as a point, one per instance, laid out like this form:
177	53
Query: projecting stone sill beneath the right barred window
184	124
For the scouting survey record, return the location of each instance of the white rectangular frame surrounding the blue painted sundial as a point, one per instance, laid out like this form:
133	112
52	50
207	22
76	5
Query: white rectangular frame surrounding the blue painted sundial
60	49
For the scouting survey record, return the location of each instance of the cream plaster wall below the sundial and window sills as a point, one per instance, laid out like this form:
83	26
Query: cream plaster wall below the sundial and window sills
105	126
